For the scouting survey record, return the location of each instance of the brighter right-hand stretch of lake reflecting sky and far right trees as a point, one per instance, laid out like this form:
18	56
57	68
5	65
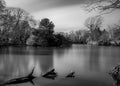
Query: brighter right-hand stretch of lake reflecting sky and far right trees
86	59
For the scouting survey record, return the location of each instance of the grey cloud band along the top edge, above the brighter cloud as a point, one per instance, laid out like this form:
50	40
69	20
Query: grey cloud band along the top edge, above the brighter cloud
37	5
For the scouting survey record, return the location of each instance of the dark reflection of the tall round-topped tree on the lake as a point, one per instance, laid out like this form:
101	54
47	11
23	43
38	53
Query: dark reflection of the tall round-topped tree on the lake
43	58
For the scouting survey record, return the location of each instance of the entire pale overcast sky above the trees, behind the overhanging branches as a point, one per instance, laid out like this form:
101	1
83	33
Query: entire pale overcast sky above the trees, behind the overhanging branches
67	15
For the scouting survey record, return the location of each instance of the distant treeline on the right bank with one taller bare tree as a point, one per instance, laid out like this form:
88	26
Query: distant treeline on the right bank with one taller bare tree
95	35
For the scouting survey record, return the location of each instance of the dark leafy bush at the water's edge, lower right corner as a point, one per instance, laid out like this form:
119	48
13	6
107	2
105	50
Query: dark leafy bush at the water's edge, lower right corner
115	74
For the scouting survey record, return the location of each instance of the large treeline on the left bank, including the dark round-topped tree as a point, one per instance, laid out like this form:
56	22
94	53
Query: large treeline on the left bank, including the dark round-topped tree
17	27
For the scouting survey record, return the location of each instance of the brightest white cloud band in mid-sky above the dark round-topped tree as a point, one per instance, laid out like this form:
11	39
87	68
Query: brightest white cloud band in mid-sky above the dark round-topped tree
65	18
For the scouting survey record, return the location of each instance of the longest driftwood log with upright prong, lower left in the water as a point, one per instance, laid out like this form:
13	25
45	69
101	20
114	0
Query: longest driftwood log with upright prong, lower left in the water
28	78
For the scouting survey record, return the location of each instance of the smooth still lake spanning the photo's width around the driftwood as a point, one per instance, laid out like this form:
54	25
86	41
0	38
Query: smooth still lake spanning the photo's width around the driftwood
90	63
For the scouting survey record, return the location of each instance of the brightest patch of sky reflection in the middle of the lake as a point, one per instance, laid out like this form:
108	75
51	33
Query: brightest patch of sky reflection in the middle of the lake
73	59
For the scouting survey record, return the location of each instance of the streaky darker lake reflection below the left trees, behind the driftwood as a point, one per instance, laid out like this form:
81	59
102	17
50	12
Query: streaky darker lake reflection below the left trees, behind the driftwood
19	61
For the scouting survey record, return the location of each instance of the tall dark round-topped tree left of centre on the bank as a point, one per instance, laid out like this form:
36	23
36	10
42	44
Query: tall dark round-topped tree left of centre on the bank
44	34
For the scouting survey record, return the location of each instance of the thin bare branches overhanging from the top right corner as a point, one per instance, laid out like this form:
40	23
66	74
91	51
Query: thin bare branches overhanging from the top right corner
103	5
